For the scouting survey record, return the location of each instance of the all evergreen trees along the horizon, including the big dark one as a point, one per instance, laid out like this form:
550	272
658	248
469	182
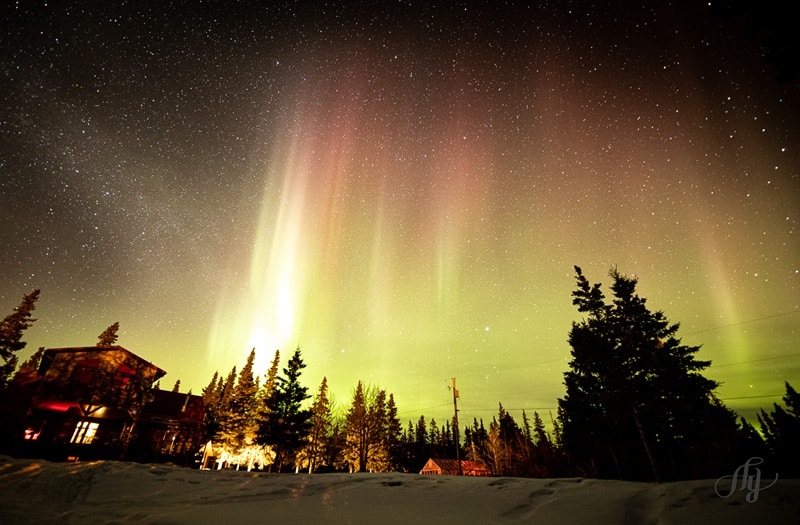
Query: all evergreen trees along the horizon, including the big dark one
637	407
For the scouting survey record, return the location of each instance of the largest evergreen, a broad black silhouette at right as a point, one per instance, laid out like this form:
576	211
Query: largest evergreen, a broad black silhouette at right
636	405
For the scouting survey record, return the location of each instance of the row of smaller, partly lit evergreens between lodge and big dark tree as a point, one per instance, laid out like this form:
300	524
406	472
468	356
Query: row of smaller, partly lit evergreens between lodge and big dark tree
255	424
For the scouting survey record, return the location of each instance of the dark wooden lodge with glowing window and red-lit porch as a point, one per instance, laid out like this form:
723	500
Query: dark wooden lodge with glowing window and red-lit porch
98	402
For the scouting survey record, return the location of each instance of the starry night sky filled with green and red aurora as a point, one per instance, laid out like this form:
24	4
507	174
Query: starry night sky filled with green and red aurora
402	188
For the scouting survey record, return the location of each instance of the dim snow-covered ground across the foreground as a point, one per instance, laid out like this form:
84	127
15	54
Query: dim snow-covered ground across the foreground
36	491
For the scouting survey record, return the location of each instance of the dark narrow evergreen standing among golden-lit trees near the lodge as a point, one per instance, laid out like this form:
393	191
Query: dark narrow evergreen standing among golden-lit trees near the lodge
285	422
